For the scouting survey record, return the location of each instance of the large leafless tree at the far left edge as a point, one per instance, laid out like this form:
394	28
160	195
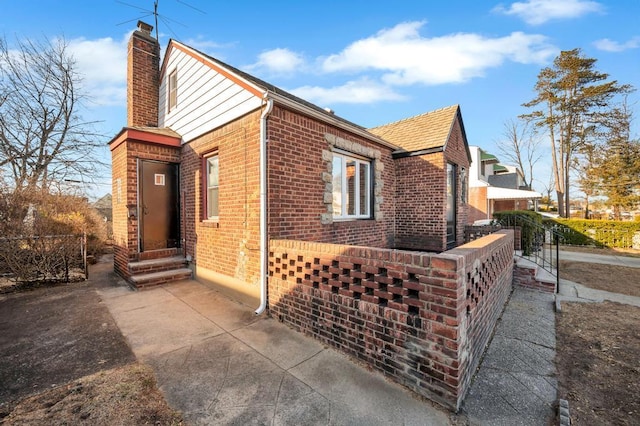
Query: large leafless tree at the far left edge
43	139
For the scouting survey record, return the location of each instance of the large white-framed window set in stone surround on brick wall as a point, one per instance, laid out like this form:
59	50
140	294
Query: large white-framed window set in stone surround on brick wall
351	186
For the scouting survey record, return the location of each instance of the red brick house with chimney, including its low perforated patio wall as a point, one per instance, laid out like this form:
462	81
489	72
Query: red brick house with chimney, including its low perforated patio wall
332	227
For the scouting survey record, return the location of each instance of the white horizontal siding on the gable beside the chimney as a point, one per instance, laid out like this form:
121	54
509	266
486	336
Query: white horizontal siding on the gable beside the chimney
207	98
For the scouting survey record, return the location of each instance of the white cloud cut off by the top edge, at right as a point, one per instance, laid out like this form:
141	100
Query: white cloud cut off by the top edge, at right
537	12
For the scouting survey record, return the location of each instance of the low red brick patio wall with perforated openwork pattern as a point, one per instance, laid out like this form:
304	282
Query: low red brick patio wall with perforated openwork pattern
421	319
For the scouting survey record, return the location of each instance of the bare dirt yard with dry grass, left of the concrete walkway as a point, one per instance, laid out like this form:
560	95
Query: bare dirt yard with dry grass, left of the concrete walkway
63	360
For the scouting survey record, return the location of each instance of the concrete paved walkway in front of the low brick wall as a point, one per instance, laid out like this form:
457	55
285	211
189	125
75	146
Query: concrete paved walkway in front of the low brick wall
220	364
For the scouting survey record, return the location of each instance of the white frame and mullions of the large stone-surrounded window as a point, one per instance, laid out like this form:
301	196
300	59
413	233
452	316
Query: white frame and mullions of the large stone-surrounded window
343	215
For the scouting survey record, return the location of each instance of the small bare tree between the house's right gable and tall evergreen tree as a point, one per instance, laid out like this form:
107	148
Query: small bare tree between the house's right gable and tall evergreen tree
519	146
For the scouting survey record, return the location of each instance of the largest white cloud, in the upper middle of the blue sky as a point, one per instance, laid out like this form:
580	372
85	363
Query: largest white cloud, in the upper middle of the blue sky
405	57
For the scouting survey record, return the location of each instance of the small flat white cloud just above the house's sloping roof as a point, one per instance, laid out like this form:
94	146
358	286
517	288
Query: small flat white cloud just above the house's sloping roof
353	92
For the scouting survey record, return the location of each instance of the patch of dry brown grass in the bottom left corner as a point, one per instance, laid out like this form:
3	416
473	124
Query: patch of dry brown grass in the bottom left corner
121	396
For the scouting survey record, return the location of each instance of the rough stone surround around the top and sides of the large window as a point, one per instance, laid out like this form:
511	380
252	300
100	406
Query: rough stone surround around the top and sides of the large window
327	177
